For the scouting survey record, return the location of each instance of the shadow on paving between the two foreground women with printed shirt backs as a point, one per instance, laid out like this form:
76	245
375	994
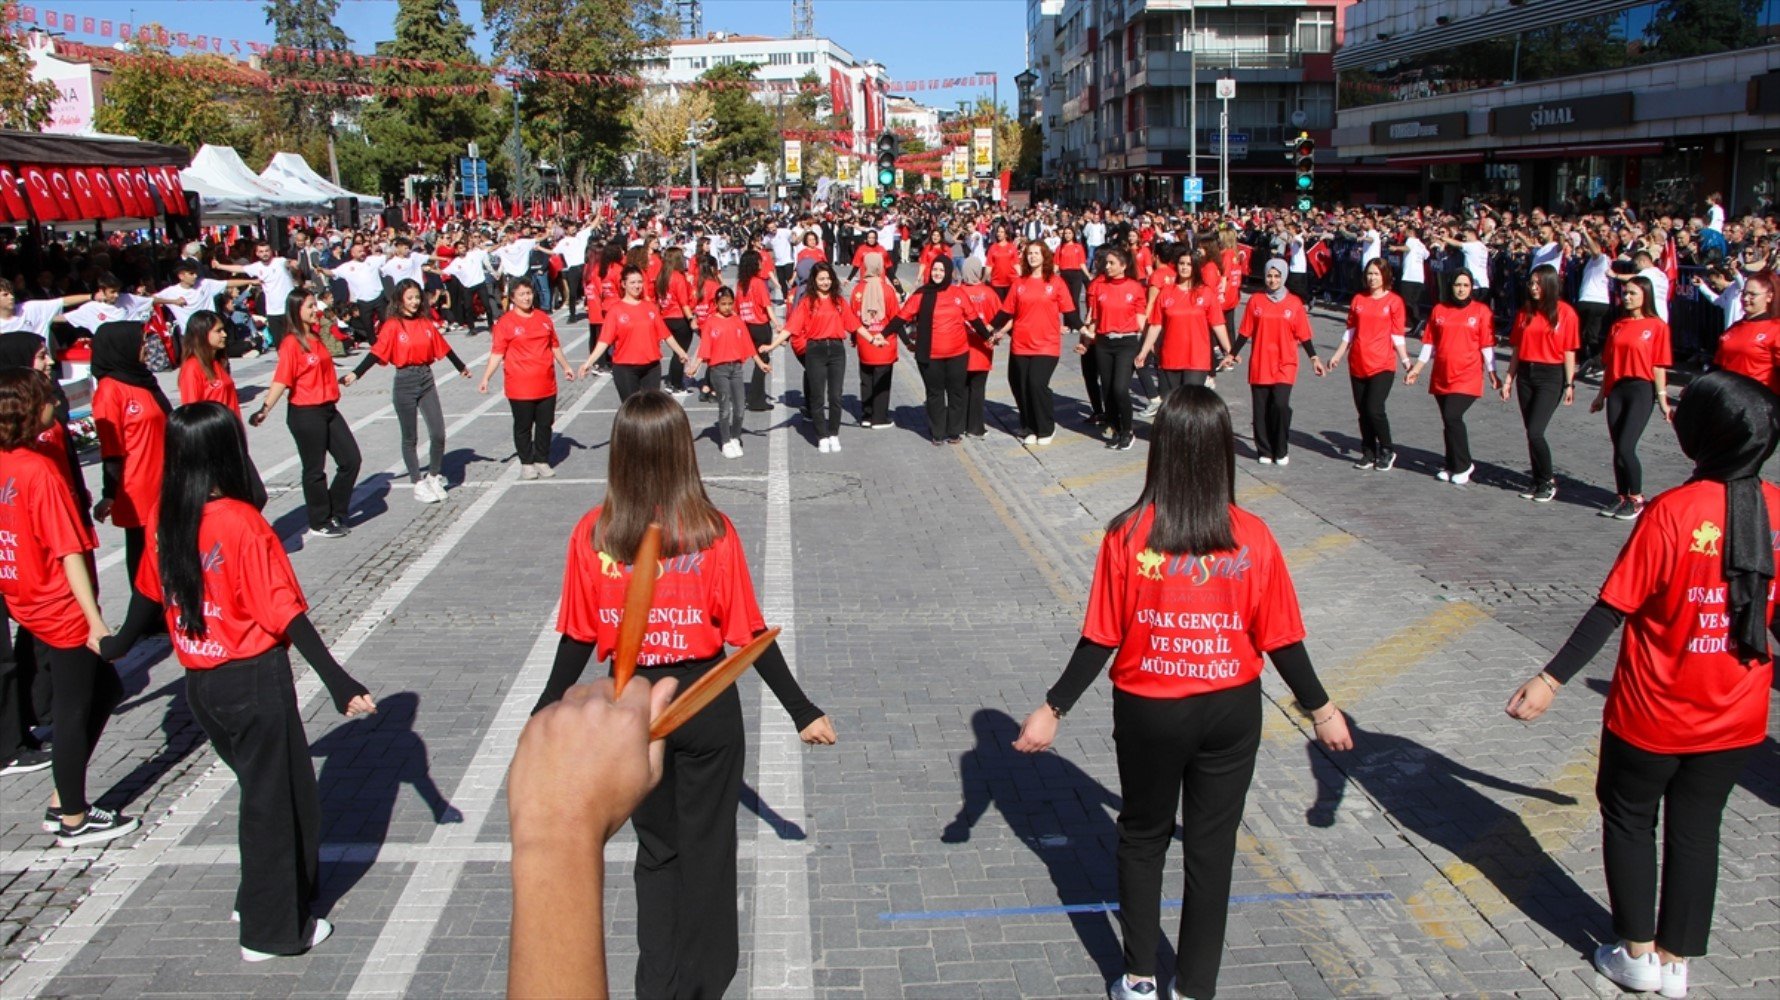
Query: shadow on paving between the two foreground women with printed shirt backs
1060	812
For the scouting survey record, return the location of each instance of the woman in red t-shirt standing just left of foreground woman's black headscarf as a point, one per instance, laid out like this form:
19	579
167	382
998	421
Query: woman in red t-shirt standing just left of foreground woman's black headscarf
1635	376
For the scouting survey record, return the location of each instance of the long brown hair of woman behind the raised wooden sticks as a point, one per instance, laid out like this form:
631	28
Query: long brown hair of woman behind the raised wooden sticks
652	476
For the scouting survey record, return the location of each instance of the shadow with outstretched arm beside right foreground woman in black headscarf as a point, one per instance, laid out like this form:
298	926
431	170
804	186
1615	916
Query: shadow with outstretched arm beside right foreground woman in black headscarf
1434	796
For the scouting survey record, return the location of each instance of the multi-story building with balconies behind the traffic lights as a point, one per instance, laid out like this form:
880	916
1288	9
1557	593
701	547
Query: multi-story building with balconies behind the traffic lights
1140	95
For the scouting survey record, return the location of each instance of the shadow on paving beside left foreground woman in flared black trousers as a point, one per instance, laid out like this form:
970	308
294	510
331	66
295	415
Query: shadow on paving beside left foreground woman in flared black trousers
369	793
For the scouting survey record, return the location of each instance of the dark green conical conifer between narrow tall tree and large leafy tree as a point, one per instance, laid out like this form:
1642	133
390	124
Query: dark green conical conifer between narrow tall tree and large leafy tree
428	133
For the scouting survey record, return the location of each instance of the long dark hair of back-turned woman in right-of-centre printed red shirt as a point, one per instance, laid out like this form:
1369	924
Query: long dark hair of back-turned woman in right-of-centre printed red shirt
1192	476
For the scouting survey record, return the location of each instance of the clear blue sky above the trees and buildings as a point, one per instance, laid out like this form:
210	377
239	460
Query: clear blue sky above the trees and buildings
912	38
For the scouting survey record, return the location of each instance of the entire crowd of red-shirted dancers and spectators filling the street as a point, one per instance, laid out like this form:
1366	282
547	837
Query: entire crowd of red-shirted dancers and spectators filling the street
1158	307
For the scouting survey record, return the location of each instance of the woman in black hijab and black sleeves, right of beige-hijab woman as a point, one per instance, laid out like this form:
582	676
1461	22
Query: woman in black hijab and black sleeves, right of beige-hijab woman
935	323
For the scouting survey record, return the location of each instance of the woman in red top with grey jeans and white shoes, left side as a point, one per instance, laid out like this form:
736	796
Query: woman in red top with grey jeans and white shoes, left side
412	343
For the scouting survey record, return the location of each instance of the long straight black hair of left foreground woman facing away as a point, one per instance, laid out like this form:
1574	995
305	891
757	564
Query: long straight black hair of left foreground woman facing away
207	456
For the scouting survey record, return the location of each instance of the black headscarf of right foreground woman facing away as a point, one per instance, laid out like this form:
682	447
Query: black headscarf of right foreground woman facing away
1729	426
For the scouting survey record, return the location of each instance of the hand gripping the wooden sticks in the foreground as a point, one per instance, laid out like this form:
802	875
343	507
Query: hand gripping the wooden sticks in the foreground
587	762
